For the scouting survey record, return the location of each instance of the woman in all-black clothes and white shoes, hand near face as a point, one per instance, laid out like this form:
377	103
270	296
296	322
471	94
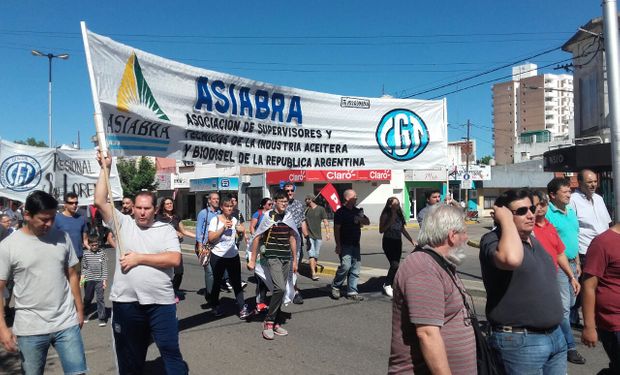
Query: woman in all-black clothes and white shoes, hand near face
392	225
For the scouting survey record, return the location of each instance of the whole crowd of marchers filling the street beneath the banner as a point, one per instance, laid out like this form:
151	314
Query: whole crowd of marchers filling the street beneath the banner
548	265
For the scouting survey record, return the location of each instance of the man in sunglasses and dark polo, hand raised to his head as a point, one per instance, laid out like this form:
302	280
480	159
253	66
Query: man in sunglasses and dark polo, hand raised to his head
524	308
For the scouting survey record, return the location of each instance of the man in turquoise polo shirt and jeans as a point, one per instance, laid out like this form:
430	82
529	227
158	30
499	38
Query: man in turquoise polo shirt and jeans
564	219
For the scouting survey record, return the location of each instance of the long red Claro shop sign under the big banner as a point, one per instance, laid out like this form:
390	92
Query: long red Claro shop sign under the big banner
274	178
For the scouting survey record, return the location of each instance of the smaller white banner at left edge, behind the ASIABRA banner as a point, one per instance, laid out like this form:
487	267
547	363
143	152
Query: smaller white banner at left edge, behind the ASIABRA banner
24	169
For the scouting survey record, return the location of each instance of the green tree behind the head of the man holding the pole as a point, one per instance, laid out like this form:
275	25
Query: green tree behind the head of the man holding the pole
136	175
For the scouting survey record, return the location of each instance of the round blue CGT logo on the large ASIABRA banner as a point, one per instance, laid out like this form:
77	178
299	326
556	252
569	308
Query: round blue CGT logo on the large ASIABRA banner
402	135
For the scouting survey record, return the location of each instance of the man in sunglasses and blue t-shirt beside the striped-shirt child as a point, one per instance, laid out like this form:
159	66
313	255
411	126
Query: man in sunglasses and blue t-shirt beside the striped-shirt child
72	222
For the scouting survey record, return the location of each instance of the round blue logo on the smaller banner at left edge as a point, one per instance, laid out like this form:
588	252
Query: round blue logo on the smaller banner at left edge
20	173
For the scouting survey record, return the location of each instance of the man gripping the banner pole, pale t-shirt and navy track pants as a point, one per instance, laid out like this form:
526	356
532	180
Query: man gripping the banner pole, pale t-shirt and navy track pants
142	296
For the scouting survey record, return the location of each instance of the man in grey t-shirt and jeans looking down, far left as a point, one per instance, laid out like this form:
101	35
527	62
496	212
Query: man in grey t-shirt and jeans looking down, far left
48	304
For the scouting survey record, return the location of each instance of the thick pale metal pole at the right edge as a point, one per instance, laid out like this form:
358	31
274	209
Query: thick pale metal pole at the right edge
610	33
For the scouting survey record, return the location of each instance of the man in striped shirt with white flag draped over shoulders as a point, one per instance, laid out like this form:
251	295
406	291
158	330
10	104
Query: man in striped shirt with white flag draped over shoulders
280	243
